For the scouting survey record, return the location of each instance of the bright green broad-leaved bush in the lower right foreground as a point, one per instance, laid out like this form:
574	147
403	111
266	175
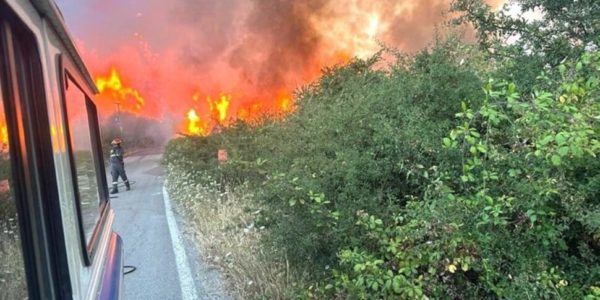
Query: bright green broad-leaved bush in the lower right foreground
520	220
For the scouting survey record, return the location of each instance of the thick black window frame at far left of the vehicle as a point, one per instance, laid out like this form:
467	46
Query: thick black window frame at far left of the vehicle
32	161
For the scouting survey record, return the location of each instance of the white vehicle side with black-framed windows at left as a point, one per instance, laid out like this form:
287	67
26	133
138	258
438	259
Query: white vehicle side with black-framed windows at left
69	247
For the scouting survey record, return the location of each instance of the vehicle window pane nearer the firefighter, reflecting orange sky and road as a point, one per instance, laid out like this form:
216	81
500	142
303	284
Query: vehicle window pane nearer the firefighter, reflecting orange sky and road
83	155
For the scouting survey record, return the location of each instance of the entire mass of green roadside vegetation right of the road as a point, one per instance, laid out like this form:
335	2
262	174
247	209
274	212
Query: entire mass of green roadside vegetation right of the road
462	172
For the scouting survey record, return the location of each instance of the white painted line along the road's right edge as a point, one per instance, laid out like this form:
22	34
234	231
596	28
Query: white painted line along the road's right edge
186	282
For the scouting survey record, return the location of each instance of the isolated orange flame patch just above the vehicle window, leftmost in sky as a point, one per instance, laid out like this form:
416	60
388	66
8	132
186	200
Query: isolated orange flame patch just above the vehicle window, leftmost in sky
111	86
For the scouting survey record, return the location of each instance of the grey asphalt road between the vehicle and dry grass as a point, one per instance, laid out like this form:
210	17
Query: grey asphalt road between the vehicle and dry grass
168	265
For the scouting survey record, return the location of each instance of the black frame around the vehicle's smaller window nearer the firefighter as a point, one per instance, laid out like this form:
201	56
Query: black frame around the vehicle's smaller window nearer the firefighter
68	72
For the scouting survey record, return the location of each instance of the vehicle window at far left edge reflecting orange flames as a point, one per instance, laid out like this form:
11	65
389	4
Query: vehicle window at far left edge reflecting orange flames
12	270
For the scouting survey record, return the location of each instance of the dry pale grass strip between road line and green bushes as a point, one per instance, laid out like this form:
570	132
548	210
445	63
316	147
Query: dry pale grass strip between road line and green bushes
222	224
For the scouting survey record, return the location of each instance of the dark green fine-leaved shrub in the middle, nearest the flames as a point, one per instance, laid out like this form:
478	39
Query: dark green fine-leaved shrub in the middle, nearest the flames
358	142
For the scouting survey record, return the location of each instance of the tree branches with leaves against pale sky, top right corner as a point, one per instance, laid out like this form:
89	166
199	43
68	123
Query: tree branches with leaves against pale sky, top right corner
561	29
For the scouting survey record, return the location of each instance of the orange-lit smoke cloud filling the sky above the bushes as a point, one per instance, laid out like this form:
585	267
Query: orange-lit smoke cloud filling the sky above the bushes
177	53
